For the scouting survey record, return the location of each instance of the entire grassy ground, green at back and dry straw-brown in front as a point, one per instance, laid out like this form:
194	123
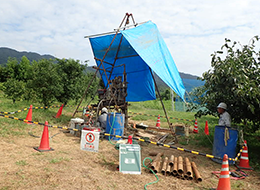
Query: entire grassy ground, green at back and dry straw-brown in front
70	168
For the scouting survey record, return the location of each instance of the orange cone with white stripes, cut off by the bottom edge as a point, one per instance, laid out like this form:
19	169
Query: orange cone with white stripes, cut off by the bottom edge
224	178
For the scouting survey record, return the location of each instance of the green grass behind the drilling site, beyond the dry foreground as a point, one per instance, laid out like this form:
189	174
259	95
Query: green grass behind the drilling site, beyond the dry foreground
146	109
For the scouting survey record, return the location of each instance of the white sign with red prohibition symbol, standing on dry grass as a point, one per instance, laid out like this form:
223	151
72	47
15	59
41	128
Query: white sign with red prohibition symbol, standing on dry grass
89	140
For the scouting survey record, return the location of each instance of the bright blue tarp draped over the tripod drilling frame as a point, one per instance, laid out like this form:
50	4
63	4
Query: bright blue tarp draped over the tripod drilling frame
138	49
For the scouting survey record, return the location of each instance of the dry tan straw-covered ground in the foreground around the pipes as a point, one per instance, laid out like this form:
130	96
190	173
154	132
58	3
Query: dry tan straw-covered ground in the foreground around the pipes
69	167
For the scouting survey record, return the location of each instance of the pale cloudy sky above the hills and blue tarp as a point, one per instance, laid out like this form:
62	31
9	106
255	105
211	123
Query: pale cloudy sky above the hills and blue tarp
192	30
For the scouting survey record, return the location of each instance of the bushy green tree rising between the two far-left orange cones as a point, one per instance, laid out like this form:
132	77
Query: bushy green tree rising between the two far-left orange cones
45	81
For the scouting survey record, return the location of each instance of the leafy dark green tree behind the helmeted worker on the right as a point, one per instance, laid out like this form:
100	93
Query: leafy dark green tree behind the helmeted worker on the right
235	80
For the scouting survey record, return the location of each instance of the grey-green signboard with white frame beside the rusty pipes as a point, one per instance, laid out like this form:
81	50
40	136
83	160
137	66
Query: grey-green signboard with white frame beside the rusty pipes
130	158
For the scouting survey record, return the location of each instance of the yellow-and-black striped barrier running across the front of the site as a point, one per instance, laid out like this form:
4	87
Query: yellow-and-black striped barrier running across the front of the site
135	138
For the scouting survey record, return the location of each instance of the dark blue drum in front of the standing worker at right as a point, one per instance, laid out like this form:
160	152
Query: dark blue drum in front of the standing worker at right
219	147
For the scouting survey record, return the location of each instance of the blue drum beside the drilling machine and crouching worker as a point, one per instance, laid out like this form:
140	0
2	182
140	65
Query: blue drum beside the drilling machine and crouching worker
117	127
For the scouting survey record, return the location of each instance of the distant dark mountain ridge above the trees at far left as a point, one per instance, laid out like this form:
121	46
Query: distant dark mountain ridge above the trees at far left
8	52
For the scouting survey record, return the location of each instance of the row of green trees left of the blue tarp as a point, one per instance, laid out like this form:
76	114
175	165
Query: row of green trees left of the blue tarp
46	81
